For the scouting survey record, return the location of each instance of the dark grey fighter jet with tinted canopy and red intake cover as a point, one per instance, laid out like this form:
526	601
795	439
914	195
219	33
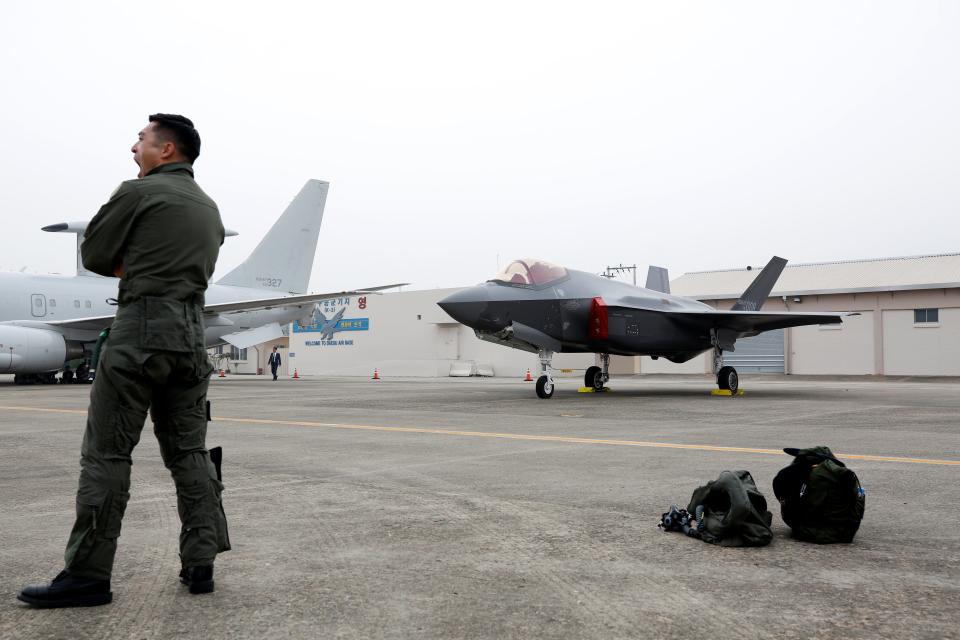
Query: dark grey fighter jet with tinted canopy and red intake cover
544	308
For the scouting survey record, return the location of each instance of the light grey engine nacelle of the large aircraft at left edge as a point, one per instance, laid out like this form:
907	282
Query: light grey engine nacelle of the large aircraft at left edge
33	350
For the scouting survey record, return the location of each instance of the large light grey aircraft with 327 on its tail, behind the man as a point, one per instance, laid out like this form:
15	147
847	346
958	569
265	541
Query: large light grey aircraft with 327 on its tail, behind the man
48	320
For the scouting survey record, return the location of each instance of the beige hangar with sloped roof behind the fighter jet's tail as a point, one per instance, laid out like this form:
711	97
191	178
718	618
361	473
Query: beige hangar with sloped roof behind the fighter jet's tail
909	322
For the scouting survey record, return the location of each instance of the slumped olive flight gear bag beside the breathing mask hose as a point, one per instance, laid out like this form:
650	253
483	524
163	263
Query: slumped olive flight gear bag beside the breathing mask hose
731	512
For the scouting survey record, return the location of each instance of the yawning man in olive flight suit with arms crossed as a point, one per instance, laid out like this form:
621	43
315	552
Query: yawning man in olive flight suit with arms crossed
160	234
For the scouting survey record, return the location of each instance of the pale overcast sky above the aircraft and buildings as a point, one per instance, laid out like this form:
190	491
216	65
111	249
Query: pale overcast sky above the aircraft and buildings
692	135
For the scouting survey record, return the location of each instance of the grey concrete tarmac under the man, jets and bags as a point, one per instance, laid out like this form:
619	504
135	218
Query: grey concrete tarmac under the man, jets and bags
468	508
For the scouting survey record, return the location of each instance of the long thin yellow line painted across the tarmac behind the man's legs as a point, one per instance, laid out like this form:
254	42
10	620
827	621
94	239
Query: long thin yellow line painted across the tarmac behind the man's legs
522	436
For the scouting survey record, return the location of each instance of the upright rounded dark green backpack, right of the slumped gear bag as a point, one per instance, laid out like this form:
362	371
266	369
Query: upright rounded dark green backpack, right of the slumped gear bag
820	498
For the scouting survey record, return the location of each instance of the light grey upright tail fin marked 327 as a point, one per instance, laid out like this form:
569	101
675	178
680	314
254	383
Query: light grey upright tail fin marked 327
284	258
